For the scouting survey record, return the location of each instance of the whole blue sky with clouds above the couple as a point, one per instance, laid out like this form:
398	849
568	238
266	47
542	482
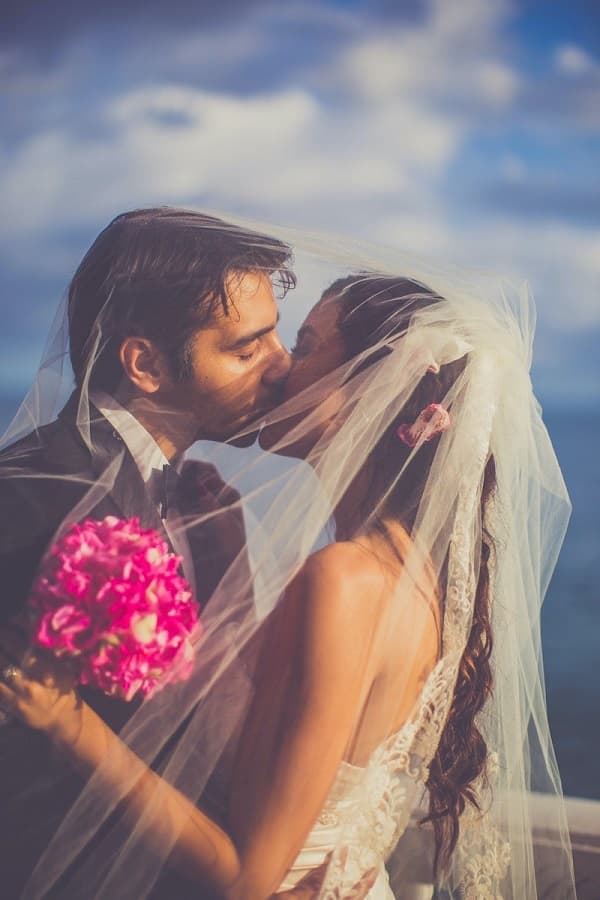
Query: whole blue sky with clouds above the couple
467	131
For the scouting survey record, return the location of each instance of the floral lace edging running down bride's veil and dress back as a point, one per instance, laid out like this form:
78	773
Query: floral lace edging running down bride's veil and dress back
389	788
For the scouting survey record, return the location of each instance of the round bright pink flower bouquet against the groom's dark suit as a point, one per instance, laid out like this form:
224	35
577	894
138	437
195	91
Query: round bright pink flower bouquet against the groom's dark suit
109	598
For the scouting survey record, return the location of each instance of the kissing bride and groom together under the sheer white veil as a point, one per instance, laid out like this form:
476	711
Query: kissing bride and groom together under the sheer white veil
362	526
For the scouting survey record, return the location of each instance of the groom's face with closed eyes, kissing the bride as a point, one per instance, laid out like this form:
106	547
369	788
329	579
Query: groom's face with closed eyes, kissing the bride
238	364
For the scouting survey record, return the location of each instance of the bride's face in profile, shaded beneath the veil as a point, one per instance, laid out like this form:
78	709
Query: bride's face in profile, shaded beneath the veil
318	351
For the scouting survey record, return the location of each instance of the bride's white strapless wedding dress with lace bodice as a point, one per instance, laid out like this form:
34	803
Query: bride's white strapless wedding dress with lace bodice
368	809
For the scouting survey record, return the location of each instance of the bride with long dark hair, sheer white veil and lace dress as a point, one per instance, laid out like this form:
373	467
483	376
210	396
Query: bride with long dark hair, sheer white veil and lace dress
393	670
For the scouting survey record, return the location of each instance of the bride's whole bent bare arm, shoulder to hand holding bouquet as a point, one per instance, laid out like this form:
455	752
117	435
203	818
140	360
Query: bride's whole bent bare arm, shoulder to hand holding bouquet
333	681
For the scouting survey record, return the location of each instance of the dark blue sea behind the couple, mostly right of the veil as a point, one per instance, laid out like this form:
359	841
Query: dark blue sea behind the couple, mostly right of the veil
571	611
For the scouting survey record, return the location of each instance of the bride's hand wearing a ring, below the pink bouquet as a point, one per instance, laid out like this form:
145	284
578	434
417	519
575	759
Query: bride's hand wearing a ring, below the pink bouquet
38	689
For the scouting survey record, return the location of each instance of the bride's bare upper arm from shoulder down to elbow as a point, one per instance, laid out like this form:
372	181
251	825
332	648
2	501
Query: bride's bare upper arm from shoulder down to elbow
296	735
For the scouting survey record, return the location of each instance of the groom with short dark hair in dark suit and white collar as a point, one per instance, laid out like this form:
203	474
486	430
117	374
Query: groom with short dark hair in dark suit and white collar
172	339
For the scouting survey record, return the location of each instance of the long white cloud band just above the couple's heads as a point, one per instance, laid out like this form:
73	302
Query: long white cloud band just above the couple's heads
273	152
